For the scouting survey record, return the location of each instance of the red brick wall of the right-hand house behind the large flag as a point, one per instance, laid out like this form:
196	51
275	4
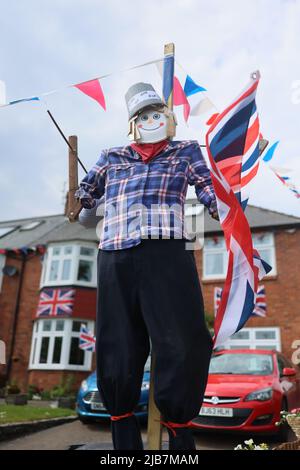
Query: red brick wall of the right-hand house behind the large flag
282	291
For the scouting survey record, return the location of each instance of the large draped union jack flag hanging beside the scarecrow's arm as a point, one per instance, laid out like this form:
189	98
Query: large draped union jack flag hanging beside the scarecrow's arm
232	143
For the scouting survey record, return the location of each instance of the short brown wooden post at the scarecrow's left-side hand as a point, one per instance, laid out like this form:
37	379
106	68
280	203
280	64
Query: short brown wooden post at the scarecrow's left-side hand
74	206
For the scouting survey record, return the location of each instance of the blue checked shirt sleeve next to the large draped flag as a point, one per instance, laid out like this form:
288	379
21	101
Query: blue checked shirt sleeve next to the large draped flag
199	176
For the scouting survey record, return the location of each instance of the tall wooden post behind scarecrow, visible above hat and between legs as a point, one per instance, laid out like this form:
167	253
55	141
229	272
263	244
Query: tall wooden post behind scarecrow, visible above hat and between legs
154	416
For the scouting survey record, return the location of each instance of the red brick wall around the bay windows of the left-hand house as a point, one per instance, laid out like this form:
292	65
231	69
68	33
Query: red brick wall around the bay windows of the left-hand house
27	310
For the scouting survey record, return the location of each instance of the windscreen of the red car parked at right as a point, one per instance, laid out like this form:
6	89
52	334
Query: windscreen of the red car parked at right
241	363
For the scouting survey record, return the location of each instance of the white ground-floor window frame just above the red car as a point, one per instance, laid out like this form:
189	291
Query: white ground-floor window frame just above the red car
252	342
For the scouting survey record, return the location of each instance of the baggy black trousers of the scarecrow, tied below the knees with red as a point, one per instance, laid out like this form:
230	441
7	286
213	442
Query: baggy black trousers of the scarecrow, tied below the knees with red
151	290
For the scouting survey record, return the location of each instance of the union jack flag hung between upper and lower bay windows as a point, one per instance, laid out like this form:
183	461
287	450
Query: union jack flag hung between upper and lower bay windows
55	302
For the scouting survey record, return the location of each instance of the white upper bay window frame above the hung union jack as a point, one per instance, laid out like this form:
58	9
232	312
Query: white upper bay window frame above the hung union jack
75	257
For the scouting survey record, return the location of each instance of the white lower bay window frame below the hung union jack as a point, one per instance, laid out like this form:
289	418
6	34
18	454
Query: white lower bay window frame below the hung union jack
67	334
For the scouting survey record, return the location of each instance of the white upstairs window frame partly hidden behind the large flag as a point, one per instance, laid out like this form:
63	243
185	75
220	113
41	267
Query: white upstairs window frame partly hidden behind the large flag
222	250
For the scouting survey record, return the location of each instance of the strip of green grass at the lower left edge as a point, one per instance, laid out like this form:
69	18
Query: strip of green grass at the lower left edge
18	414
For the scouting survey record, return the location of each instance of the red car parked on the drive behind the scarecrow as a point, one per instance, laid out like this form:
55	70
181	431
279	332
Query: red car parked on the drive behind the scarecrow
247	389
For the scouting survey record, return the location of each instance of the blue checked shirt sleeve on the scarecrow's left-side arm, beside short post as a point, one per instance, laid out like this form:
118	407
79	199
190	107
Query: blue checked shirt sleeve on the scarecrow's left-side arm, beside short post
92	185
